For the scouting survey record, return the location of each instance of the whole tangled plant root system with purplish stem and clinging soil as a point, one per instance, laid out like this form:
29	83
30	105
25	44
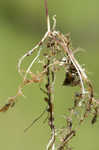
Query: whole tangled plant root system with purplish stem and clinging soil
59	54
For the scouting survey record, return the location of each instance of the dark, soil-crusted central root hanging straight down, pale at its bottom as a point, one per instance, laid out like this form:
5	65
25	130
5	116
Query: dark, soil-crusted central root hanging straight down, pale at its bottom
49	100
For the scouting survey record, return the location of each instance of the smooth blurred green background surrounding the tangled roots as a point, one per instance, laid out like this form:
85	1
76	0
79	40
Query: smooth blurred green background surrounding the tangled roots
22	25
